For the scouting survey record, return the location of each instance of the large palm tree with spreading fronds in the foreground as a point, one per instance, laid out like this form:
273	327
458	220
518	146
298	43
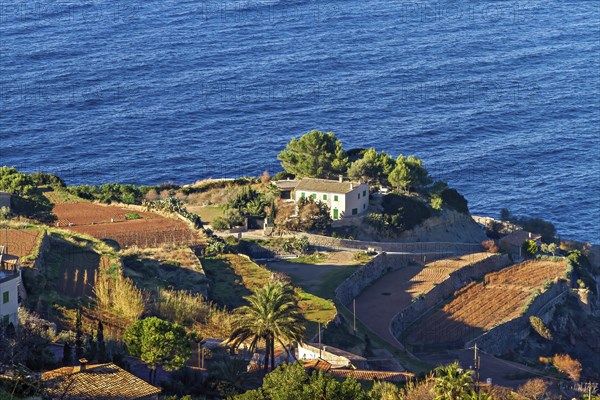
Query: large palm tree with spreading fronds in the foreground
273	314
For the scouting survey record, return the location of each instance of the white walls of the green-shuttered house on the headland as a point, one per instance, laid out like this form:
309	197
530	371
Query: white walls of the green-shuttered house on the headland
344	203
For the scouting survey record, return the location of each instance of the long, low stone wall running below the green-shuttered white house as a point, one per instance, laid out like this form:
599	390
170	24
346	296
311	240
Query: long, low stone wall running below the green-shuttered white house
413	247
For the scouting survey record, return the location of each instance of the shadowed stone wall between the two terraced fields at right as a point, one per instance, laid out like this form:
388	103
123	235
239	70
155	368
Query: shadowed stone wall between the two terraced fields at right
435	296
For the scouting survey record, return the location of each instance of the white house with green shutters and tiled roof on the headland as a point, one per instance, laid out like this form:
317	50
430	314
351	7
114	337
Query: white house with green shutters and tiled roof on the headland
344	198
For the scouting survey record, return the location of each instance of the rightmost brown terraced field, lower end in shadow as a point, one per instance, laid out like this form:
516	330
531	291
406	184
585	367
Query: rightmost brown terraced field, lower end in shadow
478	307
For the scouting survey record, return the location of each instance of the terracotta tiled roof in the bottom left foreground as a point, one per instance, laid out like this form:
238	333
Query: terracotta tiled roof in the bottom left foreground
99	381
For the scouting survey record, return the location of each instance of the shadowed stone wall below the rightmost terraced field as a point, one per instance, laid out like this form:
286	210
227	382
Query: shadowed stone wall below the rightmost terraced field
507	336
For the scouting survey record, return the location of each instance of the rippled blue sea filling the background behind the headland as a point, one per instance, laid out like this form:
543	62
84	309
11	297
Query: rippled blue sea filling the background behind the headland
500	98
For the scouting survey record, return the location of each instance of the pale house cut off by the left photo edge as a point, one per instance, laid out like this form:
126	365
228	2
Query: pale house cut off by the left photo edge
10	278
